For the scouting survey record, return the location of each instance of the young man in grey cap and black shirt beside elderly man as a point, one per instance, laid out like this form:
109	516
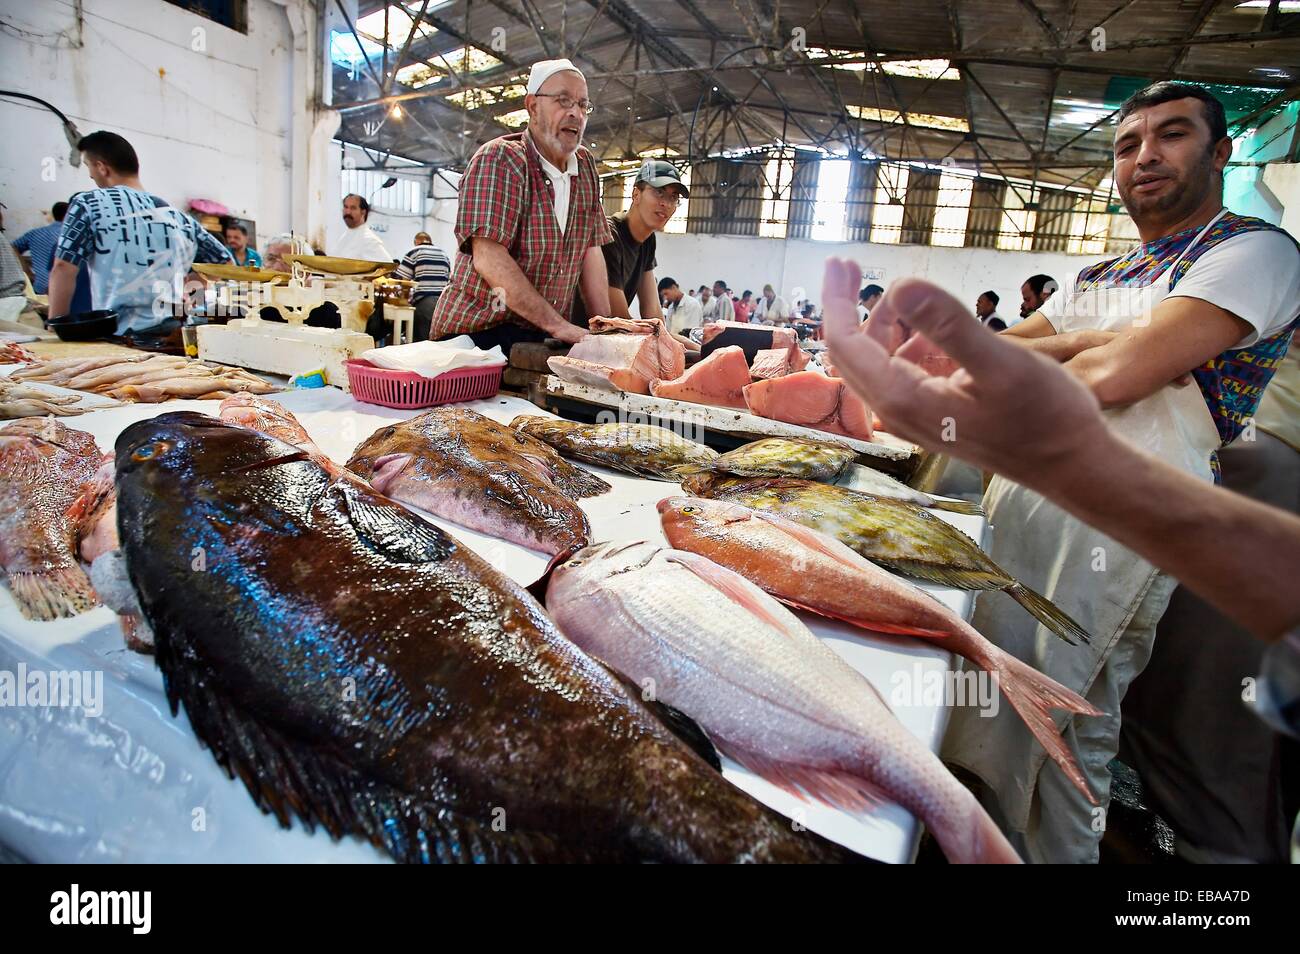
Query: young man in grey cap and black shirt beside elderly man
630	261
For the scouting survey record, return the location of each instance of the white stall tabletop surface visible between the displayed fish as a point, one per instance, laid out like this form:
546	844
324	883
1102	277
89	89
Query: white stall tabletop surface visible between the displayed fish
122	779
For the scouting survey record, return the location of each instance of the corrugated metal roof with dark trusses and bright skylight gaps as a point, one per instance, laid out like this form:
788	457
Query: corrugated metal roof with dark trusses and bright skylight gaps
1038	79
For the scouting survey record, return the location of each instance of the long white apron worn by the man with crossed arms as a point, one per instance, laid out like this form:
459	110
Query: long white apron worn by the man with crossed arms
1110	589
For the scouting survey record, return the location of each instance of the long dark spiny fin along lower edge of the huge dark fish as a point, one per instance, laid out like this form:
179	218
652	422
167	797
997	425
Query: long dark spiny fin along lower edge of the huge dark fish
291	779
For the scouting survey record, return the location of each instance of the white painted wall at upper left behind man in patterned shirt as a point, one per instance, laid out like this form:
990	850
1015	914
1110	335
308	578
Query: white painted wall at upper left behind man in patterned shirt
209	110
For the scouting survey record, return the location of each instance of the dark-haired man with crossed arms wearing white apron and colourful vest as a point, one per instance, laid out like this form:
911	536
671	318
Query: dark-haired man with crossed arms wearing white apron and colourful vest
1207	293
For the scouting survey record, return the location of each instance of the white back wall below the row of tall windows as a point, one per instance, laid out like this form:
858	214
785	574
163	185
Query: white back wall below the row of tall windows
792	264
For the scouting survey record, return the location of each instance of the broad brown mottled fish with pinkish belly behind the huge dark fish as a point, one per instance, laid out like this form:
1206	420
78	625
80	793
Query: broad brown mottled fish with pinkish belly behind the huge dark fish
458	465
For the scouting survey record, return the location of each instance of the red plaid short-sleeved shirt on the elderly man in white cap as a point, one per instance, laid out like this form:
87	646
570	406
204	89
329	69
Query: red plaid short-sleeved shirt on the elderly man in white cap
505	197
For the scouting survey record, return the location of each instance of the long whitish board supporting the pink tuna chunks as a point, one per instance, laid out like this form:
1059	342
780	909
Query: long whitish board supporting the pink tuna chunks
887	453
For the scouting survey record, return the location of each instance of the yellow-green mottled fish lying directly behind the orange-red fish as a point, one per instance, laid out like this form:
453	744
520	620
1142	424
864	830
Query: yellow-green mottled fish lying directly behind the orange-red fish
894	534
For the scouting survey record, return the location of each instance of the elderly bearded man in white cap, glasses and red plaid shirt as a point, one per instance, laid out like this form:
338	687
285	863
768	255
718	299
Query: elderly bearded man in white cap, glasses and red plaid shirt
531	226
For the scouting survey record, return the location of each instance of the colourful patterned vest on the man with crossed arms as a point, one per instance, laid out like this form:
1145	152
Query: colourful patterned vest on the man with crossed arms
1233	383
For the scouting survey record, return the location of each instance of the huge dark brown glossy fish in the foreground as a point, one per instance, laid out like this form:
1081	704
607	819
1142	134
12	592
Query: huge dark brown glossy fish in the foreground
361	670
